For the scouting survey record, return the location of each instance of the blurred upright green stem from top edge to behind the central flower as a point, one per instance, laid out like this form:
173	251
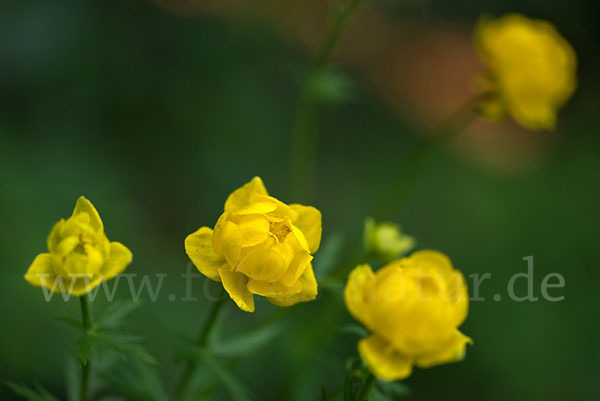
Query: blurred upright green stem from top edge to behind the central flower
305	134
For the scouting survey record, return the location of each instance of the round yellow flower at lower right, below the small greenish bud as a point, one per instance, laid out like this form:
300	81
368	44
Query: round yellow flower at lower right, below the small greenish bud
413	307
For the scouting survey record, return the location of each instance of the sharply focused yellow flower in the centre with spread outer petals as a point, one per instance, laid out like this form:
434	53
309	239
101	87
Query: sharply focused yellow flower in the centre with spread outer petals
260	246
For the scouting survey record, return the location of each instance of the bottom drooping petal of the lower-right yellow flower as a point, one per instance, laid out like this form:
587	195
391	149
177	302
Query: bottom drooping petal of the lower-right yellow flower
383	361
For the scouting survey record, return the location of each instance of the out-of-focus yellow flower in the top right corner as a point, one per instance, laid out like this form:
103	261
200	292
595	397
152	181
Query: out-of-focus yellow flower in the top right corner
531	70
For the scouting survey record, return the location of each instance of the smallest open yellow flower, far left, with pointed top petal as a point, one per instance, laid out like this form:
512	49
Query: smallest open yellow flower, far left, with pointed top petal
80	256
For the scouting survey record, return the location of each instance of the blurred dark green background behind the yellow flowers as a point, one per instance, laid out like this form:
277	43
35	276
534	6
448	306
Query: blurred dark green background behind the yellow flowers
157	117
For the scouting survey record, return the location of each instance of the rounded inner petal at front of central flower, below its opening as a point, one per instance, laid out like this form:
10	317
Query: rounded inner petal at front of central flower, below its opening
264	264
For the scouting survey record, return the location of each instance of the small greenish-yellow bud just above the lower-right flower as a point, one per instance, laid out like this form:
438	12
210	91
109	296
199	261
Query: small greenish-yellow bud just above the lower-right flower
386	240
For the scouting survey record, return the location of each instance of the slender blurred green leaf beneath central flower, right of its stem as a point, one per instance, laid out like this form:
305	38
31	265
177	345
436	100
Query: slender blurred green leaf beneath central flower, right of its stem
246	342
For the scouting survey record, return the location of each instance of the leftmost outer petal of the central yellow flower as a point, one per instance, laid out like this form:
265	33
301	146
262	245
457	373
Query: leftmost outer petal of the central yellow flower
199	247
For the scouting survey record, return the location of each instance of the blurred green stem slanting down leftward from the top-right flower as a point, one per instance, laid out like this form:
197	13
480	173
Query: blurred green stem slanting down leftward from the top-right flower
418	163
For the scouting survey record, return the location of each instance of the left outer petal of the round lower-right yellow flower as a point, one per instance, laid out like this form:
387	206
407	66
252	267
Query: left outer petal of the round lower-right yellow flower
360	284
